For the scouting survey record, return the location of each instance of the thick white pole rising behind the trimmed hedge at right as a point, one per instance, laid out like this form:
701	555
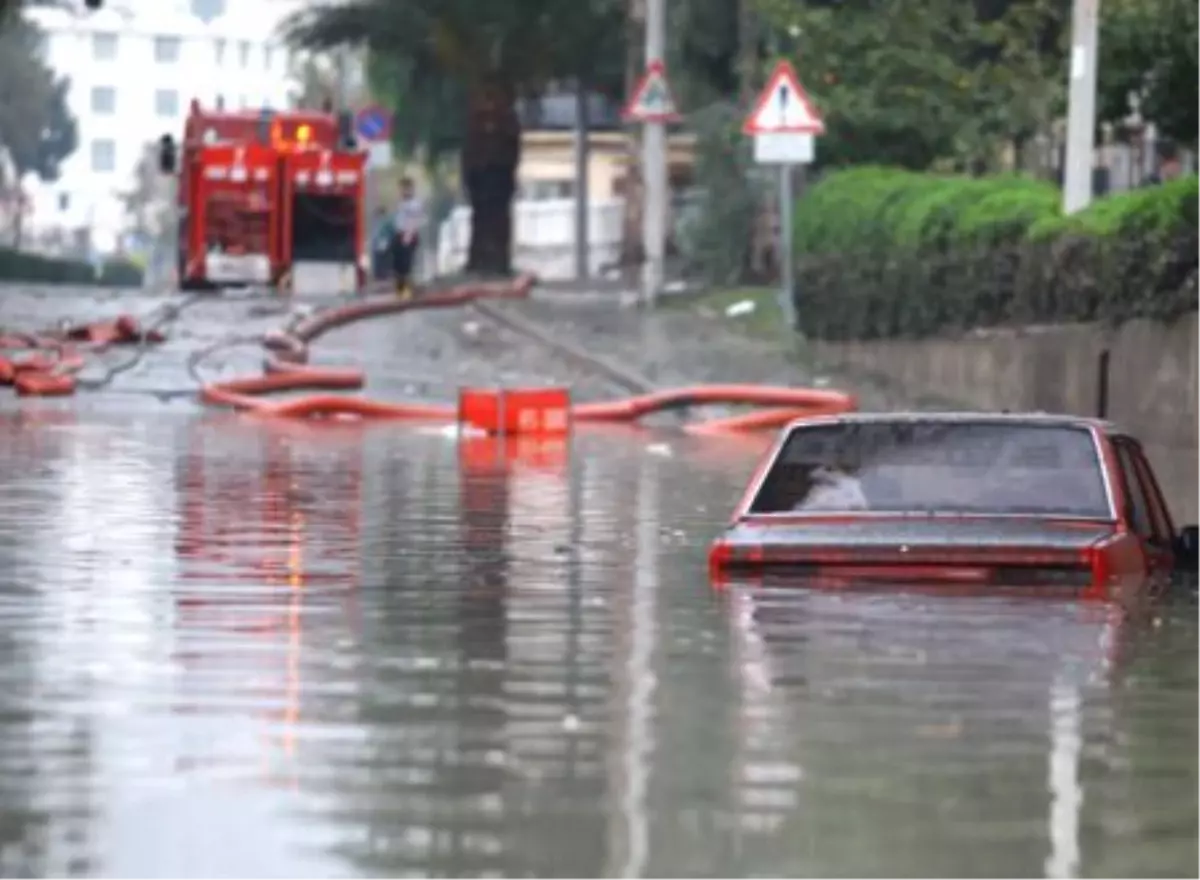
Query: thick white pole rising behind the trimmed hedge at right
1077	189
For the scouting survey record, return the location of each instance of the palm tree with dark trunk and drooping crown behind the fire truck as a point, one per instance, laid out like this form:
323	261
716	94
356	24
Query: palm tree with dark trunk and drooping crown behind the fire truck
497	51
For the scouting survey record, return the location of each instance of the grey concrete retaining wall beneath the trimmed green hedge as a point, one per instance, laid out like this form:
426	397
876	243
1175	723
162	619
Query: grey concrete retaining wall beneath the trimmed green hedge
1154	381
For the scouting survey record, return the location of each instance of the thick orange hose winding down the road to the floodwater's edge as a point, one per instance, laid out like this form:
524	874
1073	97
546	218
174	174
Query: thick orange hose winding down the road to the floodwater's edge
286	369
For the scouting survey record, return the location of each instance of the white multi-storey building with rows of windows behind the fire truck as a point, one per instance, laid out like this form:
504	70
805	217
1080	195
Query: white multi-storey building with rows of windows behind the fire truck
135	69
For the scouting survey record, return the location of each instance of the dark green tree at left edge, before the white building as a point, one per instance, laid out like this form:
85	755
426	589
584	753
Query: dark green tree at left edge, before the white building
37	125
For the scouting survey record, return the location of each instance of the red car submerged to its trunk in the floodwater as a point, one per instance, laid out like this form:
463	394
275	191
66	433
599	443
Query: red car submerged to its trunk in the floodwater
957	499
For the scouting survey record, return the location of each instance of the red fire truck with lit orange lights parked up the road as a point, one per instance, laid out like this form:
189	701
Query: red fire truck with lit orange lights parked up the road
272	199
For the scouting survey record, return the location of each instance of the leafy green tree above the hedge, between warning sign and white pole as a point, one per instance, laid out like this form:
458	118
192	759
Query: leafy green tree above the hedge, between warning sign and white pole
915	85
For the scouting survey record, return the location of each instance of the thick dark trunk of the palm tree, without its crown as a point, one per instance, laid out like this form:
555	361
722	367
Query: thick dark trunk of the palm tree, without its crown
490	158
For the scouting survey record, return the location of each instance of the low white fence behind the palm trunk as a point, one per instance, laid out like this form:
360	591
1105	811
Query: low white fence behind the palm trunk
543	237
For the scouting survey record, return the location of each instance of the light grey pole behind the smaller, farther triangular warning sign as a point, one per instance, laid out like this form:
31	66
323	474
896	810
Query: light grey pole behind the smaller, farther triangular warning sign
655	167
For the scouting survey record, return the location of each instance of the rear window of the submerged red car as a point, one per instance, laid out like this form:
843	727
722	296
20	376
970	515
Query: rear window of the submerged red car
914	466
